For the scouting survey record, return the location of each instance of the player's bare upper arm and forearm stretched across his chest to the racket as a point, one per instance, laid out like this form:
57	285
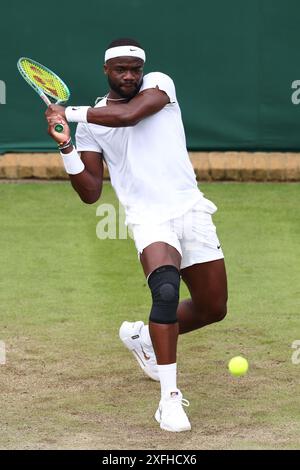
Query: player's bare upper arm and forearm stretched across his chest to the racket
146	103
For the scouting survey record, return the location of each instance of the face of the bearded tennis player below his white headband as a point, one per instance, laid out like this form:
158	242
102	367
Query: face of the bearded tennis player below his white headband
125	75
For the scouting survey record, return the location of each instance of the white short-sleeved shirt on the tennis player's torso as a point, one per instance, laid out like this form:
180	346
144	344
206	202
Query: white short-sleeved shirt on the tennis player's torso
148	163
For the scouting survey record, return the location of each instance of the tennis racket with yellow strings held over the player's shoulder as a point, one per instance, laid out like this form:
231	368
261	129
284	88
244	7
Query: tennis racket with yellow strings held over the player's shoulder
45	82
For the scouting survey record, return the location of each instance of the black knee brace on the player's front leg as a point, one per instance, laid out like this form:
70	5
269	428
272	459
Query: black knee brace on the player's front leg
164	284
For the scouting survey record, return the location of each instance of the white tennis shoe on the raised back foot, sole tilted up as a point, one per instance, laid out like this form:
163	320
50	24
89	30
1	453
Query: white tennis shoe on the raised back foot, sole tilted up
130	335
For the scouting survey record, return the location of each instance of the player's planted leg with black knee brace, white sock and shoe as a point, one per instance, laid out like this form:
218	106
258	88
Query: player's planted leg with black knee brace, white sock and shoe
161	264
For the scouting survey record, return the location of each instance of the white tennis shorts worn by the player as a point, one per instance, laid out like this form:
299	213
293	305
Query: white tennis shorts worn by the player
193	235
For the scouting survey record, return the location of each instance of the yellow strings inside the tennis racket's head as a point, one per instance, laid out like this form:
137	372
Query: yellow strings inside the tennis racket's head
47	81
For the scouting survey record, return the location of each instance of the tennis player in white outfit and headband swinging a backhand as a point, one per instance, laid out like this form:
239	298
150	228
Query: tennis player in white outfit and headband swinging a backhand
137	129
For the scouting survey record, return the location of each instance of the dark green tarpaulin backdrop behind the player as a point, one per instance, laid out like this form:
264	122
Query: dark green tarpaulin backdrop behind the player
233	63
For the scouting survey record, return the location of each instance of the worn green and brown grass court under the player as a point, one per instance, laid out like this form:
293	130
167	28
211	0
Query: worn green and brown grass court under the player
69	383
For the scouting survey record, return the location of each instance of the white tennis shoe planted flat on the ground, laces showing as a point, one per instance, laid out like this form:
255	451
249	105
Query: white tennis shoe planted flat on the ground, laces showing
170	413
